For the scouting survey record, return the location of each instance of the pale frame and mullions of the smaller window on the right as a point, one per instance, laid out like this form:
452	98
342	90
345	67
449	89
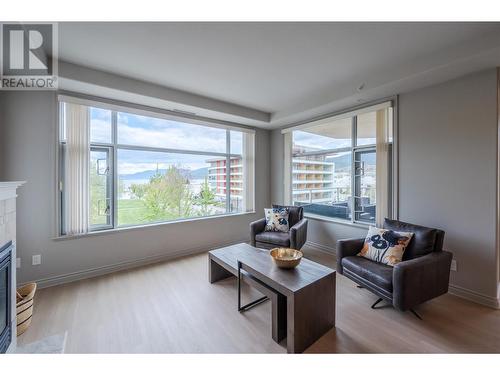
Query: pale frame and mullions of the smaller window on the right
355	149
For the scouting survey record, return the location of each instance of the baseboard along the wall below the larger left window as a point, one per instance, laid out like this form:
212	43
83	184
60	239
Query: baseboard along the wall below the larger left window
98	271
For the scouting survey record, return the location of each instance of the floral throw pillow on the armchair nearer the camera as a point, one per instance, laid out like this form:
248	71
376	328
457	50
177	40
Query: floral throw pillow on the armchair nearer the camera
385	246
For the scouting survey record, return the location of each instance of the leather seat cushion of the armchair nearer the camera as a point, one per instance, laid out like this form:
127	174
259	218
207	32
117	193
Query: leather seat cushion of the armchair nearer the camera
376	273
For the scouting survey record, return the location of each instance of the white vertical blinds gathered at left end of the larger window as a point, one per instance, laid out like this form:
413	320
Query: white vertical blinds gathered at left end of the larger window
77	168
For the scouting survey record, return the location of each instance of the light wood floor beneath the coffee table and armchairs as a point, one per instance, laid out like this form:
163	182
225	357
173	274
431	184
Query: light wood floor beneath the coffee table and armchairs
171	308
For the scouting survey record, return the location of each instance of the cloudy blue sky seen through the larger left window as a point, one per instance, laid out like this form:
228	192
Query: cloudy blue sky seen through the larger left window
153	132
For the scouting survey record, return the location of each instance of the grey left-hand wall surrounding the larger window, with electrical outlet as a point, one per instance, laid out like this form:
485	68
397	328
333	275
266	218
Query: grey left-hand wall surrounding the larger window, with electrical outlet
28	144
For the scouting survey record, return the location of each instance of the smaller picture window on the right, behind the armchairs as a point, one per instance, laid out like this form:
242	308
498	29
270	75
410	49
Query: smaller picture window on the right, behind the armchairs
341	167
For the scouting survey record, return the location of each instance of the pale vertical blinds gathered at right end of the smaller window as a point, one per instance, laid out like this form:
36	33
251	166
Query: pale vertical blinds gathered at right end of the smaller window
382	165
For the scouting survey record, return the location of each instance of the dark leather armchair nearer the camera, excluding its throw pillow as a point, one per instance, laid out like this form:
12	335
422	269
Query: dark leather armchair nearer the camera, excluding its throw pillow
422	275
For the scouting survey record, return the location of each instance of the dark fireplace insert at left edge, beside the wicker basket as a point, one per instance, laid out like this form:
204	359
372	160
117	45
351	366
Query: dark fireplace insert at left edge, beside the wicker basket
5	296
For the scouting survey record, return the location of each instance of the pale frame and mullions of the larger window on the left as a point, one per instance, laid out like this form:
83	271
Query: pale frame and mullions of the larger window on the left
114	146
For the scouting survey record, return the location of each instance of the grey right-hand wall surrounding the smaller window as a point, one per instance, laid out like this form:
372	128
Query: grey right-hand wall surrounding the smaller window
448	176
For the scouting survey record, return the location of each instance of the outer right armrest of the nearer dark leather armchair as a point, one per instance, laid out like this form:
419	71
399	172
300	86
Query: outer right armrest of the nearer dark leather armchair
421	279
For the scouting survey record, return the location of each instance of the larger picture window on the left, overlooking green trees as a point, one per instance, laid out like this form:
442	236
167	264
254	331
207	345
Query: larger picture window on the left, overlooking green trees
119	168
